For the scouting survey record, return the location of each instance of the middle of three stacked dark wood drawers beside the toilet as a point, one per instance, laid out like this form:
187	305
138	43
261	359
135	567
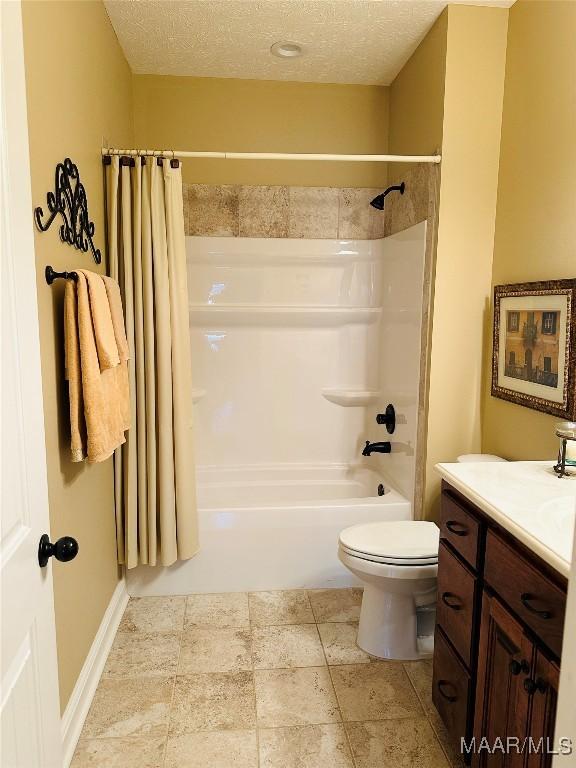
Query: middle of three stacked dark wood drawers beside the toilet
456	601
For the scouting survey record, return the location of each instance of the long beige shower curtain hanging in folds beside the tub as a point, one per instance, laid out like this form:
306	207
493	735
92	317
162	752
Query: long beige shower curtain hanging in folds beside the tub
155	495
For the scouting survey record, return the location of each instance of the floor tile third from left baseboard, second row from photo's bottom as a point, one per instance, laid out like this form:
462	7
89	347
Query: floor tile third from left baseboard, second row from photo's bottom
295	697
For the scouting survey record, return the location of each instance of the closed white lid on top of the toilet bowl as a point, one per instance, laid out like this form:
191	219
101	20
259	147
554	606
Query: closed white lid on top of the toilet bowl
412	540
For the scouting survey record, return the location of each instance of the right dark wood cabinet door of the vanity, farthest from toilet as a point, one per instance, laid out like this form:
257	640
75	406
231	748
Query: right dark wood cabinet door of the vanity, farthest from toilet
544	696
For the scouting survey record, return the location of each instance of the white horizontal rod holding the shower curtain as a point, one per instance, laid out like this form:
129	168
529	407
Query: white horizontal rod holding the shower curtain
276	156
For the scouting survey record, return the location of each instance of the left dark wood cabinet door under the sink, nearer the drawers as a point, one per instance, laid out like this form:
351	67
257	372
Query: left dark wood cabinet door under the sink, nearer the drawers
502	704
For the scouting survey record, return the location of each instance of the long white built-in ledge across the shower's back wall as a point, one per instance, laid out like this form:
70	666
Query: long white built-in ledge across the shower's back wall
261	314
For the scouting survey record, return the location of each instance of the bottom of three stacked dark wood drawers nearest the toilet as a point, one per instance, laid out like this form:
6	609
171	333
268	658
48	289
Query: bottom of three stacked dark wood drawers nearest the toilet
450	688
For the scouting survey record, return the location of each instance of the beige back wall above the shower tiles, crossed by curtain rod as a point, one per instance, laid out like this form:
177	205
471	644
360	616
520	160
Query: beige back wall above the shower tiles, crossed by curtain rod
264	116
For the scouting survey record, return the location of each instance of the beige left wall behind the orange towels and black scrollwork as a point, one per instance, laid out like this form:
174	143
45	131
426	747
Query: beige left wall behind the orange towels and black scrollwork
79	91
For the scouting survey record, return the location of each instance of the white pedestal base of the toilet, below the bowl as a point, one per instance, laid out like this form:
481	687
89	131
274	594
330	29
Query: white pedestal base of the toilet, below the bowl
388	626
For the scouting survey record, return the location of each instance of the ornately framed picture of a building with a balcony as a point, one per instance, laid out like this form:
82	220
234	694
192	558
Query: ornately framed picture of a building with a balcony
534	354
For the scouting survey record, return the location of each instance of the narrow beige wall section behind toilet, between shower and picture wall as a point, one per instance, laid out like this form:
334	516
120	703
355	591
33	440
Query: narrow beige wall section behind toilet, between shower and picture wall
473	94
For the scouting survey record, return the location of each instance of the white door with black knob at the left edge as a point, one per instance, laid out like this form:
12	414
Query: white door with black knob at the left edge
29	675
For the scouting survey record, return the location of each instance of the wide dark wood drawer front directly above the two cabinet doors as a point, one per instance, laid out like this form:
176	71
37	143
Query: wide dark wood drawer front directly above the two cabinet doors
530	594
